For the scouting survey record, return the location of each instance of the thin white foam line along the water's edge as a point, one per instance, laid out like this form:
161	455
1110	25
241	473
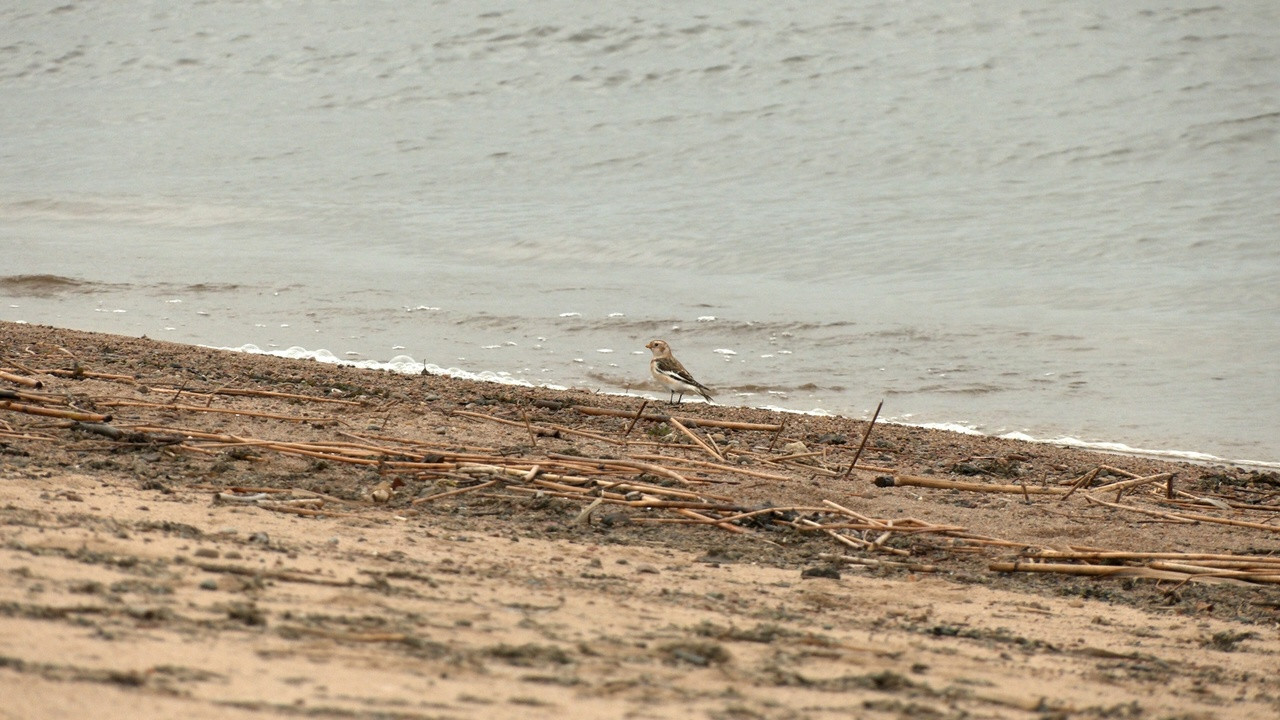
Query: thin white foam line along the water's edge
408	366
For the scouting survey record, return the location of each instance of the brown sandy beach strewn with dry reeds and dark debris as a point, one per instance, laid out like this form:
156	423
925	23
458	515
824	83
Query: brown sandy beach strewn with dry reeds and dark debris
199	534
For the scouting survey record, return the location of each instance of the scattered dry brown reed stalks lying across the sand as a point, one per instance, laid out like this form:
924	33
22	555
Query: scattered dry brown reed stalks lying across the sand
687	484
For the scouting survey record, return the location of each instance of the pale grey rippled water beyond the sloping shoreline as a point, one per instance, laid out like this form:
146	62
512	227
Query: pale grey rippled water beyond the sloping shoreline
1052	220
